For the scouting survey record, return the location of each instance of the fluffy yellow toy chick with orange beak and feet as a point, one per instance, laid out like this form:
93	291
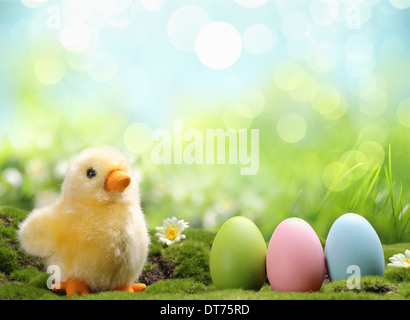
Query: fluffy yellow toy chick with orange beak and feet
95	232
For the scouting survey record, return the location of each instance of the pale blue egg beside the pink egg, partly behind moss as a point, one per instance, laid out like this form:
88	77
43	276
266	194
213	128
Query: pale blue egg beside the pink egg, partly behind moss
353	244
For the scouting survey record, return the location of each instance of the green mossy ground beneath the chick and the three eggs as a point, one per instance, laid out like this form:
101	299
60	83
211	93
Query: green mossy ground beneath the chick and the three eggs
180	271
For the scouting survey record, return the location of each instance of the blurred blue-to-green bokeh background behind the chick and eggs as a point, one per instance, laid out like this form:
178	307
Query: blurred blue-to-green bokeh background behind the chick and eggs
325	82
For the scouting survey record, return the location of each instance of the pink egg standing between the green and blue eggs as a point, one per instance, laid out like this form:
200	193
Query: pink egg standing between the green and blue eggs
295	260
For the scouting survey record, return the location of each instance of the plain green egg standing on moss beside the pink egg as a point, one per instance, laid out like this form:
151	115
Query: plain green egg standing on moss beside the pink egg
238	256
